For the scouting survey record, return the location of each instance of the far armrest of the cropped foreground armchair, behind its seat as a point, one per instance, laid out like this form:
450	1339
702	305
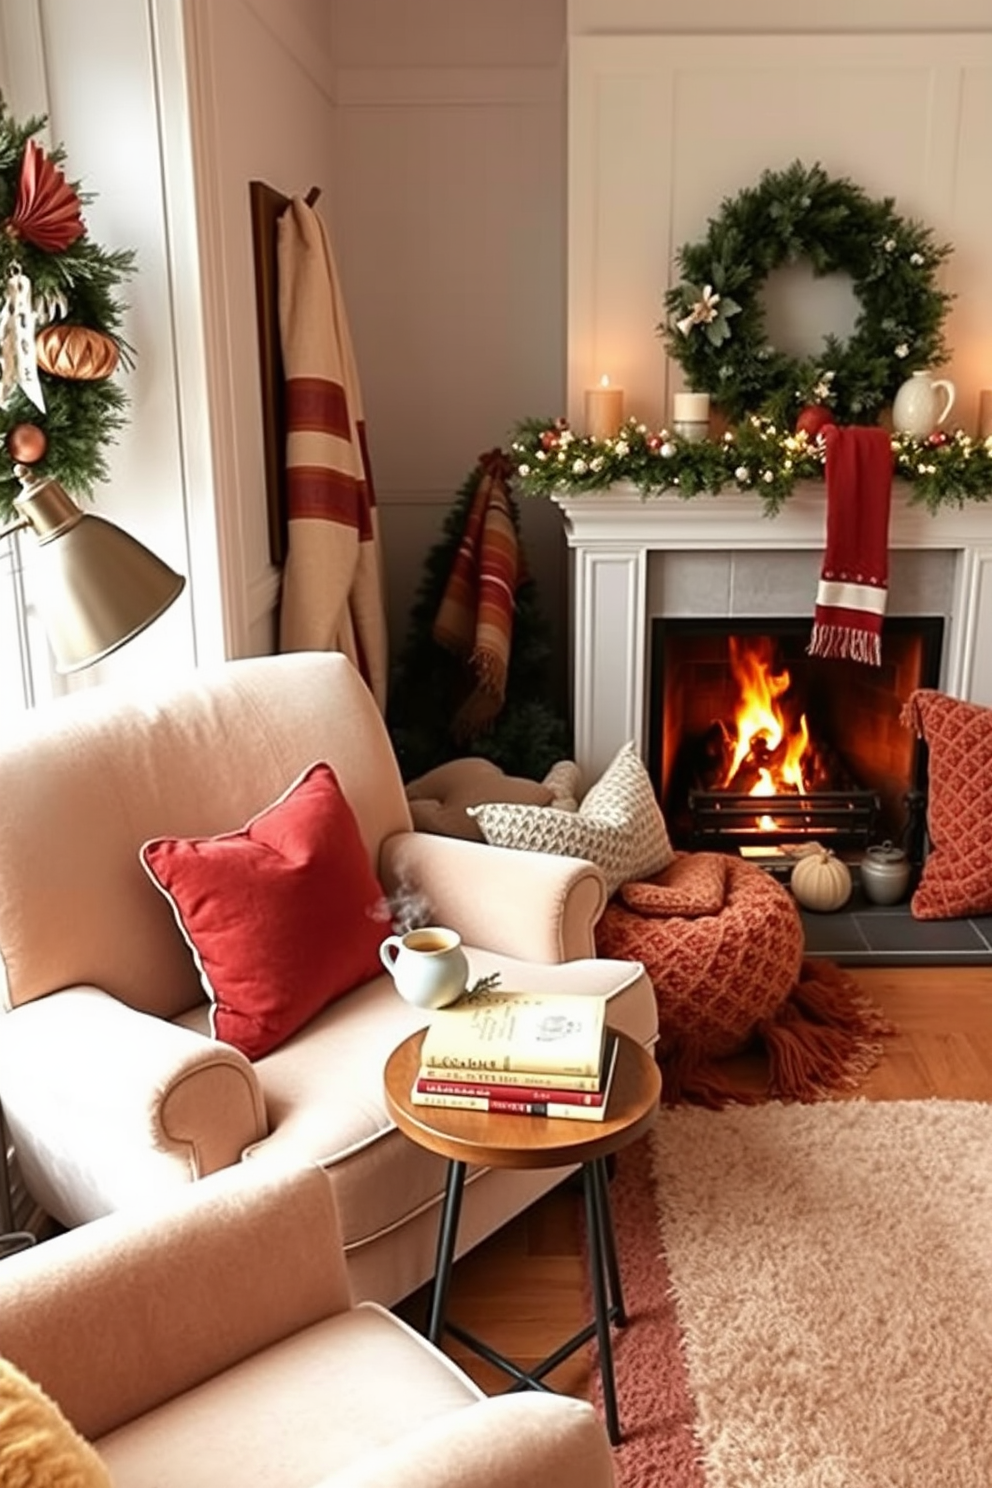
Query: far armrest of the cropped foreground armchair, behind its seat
114	1319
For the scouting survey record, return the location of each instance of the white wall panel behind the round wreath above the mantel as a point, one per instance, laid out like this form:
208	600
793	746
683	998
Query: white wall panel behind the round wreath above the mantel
663	129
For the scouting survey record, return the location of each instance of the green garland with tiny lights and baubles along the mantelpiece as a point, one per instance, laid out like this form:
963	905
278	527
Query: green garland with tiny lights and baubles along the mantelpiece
947	469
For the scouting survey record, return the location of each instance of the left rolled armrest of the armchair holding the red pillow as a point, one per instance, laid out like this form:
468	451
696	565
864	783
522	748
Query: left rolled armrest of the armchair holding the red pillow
108	1105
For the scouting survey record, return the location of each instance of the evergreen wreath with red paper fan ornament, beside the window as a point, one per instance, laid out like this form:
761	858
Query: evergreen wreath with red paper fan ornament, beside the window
60	321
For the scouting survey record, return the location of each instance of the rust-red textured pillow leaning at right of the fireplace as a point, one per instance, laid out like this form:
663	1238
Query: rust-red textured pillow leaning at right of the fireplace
957	877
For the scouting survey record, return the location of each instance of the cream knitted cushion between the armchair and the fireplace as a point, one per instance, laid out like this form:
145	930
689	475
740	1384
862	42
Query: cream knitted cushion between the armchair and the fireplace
619	825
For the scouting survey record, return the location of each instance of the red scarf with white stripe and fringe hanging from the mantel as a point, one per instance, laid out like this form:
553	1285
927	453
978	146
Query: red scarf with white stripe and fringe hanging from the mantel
854	578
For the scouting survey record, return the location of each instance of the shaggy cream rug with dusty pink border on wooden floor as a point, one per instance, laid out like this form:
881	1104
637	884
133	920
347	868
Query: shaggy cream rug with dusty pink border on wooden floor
810	1292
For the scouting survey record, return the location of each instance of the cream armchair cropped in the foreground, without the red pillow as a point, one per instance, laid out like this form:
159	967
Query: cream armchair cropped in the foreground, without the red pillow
210	1340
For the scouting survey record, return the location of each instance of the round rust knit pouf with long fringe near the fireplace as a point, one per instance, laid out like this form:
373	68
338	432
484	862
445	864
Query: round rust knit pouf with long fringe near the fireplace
724	946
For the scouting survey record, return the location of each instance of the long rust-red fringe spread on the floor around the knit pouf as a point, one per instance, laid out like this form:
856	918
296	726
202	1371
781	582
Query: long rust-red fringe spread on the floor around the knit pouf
825	1039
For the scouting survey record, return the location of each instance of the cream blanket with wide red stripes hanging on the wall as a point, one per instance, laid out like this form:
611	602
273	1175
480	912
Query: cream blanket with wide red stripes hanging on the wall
332	583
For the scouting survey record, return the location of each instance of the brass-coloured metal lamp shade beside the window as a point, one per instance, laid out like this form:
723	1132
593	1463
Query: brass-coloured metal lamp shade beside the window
94	586
